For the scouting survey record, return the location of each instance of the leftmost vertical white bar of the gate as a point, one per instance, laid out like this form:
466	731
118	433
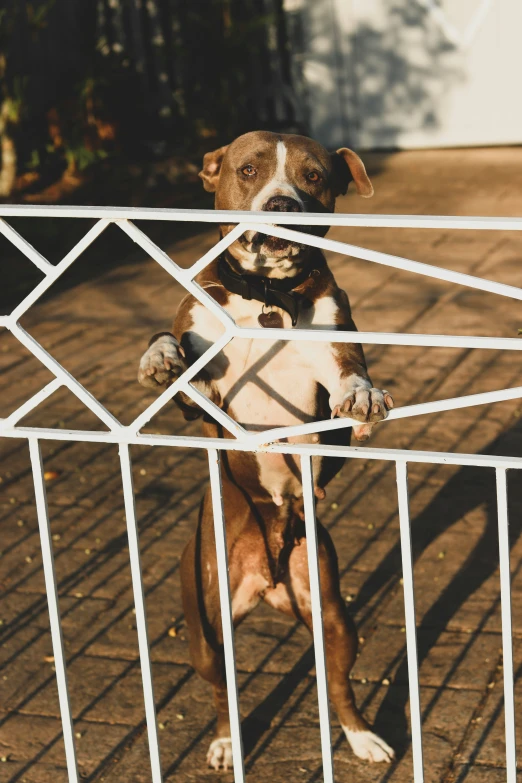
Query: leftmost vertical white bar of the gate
54	609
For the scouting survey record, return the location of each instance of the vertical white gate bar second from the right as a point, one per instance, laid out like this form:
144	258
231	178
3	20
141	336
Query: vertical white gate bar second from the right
411	627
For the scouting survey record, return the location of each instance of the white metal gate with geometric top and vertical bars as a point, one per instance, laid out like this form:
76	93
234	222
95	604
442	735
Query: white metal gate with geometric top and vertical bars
126	436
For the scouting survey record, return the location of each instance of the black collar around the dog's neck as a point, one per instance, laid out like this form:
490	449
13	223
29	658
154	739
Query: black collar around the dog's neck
273	292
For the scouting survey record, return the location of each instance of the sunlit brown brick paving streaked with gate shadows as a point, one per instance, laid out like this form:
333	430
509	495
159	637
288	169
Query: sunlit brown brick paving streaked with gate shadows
96	325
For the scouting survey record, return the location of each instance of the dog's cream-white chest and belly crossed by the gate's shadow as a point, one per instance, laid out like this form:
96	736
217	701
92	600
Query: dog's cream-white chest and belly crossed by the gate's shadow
266	383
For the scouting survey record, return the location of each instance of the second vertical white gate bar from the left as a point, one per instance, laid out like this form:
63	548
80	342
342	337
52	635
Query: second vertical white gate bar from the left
141	612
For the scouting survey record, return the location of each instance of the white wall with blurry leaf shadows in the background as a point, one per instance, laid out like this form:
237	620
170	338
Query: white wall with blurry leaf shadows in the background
409	73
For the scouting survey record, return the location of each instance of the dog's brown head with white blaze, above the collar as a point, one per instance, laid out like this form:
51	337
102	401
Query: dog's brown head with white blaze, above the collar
279	173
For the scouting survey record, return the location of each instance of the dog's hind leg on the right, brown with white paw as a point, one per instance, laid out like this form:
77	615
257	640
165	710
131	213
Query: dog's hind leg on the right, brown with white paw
293	597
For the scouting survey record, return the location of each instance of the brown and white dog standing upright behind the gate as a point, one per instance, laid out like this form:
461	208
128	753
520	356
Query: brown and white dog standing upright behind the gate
263	384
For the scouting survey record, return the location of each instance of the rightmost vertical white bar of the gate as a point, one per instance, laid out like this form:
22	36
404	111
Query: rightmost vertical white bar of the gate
507	637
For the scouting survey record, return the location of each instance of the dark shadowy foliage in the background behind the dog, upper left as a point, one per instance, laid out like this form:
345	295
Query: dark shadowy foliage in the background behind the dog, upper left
86	82
